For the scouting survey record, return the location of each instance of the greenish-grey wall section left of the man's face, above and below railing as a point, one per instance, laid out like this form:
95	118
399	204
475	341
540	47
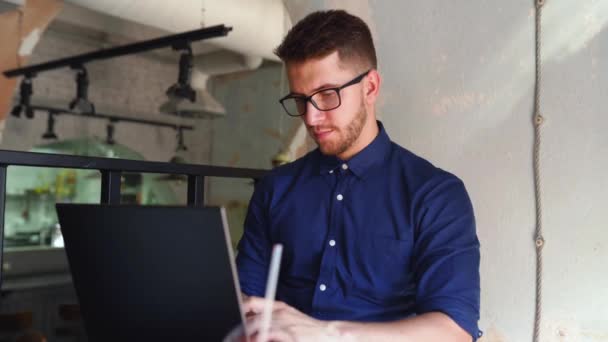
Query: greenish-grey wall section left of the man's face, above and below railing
254	130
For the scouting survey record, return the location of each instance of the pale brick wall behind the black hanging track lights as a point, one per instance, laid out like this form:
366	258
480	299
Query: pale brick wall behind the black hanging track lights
132	85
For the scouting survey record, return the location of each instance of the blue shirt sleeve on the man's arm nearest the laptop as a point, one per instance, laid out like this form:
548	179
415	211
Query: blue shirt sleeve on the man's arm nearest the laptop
254	248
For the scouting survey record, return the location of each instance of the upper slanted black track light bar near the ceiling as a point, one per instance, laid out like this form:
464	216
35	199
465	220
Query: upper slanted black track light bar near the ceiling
176	41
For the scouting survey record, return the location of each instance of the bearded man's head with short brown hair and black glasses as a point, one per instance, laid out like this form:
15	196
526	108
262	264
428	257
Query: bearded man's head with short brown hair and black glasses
325	51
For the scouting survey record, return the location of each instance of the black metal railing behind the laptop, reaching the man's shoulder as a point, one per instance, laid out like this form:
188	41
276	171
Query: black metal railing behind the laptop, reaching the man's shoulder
111	170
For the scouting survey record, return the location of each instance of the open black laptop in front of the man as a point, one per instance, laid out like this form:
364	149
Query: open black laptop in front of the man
152	273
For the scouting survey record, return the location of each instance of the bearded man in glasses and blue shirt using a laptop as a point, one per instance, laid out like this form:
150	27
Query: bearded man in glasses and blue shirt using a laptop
378	243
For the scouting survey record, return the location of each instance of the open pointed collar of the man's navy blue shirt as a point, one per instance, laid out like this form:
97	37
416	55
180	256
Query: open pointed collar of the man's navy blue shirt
360	163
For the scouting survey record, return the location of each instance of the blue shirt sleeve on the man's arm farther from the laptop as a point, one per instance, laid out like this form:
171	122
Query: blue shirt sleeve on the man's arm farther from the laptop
446	253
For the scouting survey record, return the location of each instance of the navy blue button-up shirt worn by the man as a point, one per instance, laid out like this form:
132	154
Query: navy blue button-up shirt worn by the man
380	237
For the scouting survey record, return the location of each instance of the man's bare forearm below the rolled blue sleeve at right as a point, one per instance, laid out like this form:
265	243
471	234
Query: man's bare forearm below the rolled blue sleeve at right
429	327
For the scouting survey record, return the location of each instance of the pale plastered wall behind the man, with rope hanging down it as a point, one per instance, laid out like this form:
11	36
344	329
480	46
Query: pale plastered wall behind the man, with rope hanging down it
458	90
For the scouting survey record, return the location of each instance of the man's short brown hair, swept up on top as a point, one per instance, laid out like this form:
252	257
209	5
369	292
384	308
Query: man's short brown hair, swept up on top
321	33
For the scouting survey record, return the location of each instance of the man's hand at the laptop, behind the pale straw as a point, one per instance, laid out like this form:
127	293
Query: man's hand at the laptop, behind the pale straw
288	324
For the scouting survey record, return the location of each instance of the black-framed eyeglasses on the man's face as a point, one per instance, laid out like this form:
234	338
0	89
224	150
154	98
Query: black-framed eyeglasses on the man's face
324	99
